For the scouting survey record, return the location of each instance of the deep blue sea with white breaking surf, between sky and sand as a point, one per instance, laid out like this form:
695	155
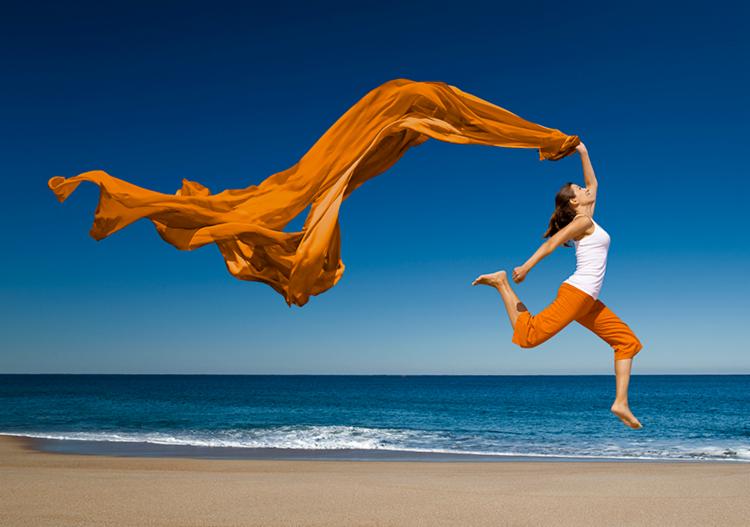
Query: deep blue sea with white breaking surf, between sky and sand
685	417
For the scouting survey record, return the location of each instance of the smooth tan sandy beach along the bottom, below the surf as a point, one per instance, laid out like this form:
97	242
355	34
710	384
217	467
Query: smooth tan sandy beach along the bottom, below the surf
39	489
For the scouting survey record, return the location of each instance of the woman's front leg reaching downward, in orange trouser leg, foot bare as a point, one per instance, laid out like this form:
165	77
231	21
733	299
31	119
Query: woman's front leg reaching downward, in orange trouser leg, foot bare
608	326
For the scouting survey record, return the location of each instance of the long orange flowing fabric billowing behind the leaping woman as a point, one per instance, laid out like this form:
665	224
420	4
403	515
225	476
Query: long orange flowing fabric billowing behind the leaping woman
247	224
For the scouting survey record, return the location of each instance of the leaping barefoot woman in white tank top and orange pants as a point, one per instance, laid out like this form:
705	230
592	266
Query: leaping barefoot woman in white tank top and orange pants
577	297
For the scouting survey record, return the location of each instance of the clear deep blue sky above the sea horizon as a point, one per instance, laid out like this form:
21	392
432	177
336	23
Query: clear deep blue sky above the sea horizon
227	94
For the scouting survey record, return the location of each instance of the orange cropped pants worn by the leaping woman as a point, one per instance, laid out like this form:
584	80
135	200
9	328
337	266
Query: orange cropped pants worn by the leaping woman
573	304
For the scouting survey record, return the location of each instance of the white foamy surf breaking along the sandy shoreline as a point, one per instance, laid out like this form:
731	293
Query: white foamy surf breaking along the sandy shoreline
418	441
